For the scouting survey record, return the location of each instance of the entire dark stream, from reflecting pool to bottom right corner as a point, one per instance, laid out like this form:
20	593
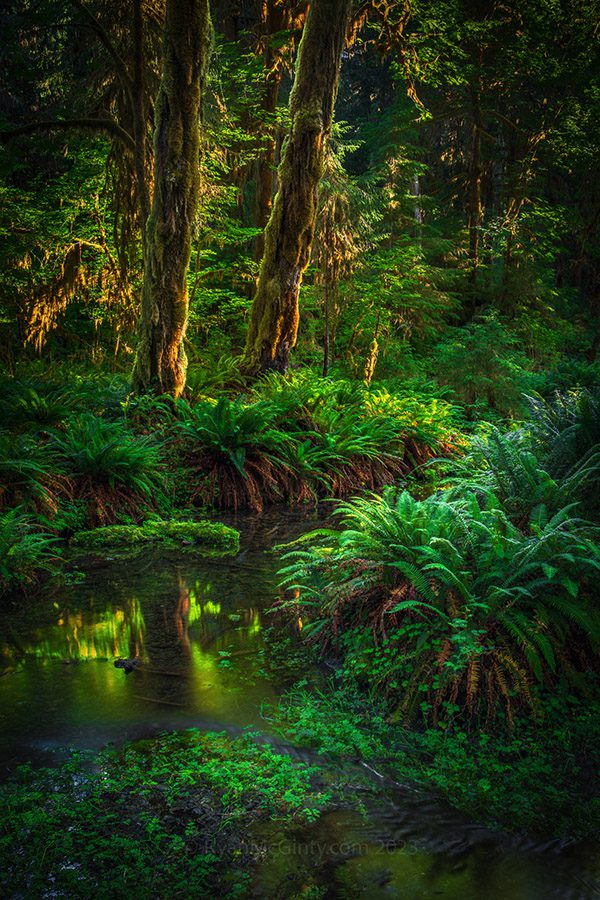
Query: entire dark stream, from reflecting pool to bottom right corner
197	625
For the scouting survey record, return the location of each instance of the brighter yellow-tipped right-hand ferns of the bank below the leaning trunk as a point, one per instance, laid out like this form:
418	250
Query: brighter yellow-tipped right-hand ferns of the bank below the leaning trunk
352	438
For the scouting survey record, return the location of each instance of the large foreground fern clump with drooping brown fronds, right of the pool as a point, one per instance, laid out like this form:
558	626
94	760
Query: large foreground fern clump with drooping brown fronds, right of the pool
445	604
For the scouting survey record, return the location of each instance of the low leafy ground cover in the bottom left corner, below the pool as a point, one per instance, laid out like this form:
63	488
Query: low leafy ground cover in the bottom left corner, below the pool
167	816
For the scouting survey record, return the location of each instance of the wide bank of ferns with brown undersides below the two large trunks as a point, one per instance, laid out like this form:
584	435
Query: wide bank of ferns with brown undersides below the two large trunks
302	438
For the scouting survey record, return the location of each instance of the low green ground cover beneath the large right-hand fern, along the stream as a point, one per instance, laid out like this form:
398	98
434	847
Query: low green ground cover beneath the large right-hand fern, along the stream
539	779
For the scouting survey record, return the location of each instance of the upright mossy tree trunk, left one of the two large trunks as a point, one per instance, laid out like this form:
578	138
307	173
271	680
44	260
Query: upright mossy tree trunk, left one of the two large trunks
160	361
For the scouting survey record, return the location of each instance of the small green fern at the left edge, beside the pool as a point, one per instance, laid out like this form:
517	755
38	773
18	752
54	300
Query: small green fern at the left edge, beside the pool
26	552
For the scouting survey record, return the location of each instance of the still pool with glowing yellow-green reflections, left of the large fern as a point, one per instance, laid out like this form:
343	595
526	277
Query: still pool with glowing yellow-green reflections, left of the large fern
196	628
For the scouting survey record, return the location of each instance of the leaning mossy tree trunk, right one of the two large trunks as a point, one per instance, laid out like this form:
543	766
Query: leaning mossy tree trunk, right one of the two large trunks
289	232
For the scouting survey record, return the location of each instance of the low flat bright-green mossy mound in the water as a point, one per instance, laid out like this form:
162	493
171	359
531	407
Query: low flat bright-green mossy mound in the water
205	538
